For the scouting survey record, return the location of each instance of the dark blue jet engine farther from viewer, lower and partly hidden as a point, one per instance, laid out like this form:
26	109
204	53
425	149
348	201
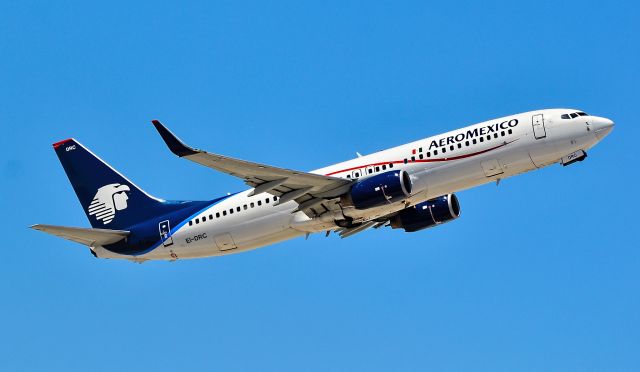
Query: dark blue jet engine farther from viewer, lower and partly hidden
427	214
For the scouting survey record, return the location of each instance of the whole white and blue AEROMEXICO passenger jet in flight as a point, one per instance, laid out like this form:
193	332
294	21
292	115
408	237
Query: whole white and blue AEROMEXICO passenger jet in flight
409	187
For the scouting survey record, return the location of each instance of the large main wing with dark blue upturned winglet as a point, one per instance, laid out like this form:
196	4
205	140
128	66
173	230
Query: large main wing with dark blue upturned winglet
313	192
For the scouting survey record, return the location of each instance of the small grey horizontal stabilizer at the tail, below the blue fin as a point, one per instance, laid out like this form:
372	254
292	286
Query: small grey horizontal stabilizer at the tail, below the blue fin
87	236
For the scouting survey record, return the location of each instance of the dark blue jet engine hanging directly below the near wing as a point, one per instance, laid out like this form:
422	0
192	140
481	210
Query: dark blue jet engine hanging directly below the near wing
381	189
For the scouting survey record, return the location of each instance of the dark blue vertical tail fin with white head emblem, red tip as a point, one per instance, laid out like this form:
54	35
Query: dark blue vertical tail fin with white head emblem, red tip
108	198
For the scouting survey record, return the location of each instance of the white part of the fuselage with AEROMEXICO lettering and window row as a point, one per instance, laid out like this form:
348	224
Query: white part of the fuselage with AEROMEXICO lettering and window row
439	165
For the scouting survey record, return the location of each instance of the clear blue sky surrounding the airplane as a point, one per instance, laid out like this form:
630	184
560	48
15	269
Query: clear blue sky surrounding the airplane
539	274
